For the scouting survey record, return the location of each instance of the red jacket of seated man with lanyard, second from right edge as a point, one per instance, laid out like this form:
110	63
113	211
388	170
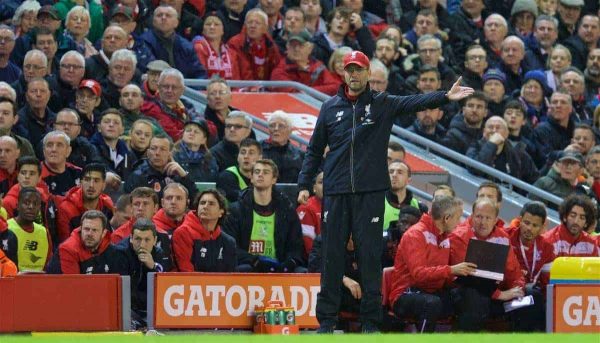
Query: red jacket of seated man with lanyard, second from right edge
543	259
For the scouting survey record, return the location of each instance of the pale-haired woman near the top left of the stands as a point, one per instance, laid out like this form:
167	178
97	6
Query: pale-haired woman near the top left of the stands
77	27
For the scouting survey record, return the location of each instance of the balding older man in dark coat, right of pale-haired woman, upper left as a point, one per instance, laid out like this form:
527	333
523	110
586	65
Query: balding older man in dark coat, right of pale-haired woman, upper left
114	38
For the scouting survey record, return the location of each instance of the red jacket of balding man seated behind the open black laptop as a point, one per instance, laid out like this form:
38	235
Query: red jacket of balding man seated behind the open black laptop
459	240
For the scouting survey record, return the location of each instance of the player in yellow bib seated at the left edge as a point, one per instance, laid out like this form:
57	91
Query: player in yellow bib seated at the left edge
33	243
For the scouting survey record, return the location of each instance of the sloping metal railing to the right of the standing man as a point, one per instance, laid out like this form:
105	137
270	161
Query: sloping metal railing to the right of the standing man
503	177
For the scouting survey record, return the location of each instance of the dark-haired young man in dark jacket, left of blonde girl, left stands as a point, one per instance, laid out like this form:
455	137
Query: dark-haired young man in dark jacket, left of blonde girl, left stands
113	151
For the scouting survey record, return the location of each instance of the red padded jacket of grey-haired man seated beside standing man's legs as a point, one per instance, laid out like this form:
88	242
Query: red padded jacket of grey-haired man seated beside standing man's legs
421	260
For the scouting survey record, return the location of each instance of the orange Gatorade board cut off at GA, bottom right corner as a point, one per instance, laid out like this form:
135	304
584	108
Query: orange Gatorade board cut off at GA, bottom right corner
577	308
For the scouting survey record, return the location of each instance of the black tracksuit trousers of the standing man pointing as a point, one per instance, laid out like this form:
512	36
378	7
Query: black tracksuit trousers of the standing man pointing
359	214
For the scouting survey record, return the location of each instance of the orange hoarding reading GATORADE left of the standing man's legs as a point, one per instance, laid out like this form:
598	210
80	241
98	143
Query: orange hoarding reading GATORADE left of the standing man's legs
216	300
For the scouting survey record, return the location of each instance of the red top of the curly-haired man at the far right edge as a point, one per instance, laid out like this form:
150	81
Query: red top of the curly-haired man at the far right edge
565	244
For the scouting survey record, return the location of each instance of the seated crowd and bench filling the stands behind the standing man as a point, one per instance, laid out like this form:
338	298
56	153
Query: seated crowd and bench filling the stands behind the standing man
91	105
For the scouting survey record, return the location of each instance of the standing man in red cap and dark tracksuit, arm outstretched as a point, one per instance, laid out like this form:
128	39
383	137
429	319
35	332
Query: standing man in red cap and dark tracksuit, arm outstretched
356	125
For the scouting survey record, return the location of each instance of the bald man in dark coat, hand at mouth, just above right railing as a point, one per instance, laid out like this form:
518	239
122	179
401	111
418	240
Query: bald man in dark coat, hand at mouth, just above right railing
494	150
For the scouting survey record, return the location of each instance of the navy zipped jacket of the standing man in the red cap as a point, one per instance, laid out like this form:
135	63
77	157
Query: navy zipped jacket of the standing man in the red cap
358	135
